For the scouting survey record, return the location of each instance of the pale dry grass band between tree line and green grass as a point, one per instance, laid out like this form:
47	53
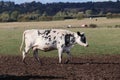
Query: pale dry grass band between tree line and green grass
101	22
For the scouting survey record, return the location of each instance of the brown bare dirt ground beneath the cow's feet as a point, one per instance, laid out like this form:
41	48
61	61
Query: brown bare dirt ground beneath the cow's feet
99	67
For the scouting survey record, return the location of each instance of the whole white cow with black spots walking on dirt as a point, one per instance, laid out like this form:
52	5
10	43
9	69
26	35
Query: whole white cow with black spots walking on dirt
51	39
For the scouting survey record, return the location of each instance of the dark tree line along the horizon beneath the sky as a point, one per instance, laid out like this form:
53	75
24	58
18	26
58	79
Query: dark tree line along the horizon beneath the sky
36	11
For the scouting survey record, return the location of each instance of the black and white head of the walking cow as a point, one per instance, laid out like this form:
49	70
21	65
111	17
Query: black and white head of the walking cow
81	39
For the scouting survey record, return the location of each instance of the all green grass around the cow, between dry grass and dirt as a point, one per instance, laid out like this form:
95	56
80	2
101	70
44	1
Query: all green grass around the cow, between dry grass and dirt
101	41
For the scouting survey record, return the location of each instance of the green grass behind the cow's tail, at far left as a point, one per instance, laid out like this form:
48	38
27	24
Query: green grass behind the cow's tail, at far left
9	41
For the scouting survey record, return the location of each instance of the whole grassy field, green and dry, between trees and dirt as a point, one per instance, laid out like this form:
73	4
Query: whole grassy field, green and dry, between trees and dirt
105	39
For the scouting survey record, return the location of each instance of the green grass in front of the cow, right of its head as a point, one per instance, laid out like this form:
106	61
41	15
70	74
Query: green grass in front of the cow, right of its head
101	41
